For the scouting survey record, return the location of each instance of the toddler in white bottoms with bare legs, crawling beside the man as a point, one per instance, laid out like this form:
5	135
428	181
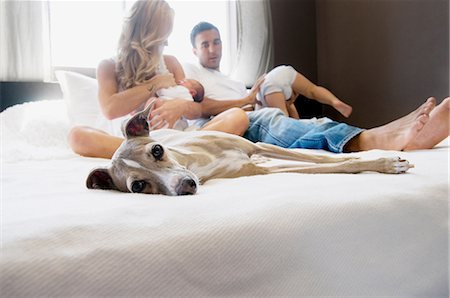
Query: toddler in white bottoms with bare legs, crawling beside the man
283	84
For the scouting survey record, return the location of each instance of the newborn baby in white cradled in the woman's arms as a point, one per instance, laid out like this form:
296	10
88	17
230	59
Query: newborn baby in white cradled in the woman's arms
185	89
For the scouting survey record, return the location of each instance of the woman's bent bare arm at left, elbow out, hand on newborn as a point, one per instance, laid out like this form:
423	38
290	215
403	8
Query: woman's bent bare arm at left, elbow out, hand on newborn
115	104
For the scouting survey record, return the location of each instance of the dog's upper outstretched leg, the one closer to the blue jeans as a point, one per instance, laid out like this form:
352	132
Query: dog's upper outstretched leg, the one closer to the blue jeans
273	151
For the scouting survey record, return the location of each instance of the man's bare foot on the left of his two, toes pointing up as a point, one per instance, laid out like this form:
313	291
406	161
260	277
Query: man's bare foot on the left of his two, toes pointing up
395	135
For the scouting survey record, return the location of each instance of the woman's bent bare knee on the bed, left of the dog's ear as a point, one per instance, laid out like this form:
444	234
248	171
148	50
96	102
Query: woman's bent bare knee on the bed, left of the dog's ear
91	142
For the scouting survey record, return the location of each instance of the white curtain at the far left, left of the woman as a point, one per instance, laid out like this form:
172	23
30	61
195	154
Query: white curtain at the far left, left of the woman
24	41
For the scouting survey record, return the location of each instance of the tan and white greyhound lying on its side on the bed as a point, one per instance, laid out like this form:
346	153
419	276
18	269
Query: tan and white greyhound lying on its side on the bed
173	162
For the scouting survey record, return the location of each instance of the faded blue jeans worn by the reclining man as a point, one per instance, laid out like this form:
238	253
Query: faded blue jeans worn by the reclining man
270	125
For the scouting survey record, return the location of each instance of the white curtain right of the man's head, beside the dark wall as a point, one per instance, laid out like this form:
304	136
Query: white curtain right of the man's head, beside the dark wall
251	45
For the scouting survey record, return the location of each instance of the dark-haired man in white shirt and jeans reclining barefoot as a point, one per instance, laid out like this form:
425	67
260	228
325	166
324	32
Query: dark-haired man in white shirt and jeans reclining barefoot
421	129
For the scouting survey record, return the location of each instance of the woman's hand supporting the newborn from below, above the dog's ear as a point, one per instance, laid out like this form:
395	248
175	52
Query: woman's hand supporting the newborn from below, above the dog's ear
166	112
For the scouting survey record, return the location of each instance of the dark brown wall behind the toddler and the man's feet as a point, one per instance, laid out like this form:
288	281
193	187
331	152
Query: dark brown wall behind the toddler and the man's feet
382	57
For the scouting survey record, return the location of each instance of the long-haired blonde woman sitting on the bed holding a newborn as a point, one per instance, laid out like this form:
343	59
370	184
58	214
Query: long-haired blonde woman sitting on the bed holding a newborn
139	70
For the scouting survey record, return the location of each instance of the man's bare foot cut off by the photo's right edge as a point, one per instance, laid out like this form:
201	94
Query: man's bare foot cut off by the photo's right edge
436	129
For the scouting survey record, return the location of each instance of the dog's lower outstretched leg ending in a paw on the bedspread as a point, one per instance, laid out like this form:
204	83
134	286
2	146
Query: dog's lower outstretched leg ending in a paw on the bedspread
390	165
